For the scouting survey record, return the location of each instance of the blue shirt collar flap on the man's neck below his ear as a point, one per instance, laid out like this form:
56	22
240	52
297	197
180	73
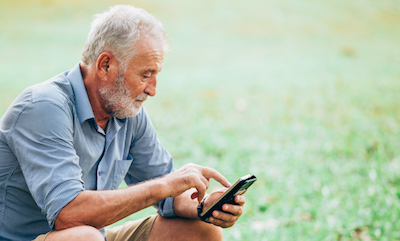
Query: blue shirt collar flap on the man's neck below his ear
83	107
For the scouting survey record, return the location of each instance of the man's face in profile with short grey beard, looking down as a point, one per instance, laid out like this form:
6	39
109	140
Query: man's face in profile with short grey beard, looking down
125	97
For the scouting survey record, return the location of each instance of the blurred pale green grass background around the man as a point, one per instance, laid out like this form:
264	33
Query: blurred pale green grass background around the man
302	93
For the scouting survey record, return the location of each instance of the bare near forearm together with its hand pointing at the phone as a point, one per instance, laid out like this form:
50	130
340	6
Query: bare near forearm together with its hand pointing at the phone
101	208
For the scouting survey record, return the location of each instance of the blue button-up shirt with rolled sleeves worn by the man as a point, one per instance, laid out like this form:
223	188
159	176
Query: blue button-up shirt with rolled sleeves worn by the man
51	149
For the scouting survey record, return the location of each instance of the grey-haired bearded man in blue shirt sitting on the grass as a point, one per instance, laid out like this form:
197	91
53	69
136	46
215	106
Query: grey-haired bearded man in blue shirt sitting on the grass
66	145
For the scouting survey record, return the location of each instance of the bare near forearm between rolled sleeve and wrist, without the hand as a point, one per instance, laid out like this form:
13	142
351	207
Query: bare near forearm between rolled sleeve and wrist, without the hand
101	208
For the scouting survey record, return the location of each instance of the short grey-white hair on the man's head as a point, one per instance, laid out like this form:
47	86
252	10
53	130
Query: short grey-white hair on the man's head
117	30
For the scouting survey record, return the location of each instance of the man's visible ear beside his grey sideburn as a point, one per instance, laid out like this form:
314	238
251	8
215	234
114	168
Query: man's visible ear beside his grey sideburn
106	66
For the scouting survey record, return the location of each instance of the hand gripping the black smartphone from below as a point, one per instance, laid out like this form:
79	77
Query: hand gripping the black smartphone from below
231	212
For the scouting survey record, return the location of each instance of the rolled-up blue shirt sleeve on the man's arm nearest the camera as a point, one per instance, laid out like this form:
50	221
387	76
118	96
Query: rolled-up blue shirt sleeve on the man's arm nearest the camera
42	140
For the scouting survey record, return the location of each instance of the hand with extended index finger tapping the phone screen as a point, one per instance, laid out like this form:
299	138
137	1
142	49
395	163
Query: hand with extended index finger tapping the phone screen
193	176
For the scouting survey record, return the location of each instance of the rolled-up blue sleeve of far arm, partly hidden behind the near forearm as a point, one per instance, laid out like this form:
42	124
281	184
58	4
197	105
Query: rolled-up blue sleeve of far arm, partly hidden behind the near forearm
150	159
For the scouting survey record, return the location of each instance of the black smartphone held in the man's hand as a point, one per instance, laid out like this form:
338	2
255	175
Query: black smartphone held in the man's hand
238	188
